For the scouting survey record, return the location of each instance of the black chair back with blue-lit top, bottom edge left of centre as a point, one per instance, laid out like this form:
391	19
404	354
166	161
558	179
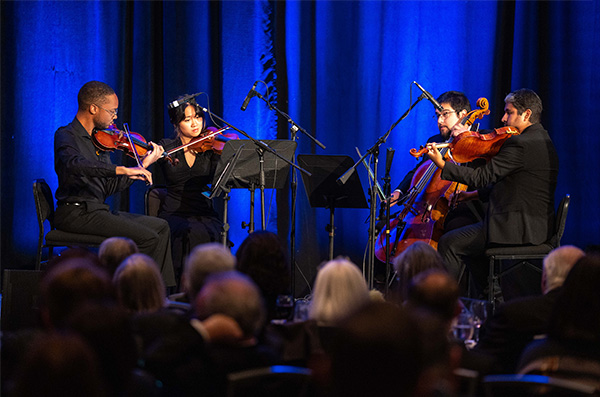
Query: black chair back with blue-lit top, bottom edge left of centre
277	380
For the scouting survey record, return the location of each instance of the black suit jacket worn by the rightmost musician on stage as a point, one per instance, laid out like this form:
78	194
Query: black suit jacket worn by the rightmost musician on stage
521	201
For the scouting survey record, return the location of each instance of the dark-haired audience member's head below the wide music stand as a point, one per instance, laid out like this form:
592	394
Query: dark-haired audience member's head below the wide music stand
262	257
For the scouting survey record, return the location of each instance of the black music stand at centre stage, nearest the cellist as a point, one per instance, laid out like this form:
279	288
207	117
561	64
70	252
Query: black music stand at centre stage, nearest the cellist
322	188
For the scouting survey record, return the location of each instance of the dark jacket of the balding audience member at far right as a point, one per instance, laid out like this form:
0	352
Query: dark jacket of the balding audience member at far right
513	326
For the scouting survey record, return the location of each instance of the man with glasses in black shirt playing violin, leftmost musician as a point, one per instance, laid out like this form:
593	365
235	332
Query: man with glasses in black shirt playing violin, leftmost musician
86	178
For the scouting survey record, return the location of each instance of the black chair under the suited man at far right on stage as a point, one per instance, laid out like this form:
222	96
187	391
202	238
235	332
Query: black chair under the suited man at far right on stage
524	254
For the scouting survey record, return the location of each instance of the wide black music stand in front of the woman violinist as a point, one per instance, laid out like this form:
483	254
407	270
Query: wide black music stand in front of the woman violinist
257	168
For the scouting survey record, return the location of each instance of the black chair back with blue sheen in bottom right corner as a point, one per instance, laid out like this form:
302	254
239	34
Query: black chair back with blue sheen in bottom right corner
535	385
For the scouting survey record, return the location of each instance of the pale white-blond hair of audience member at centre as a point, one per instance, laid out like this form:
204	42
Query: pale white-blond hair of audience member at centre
340	289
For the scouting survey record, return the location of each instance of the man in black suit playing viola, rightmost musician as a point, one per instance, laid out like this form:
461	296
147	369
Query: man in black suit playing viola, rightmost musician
522	176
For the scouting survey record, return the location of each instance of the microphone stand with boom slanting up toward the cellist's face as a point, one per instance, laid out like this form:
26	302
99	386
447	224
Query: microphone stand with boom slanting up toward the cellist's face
374	150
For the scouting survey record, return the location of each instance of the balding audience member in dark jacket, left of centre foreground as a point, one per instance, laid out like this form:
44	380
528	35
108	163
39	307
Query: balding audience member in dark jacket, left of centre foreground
194	359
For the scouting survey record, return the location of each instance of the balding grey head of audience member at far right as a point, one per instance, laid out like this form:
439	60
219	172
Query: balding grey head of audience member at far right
557	265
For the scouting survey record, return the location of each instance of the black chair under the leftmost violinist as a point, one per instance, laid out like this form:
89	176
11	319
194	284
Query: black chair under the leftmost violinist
44	205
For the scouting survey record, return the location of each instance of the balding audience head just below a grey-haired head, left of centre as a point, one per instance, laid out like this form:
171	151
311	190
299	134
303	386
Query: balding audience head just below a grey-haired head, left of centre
235	295
